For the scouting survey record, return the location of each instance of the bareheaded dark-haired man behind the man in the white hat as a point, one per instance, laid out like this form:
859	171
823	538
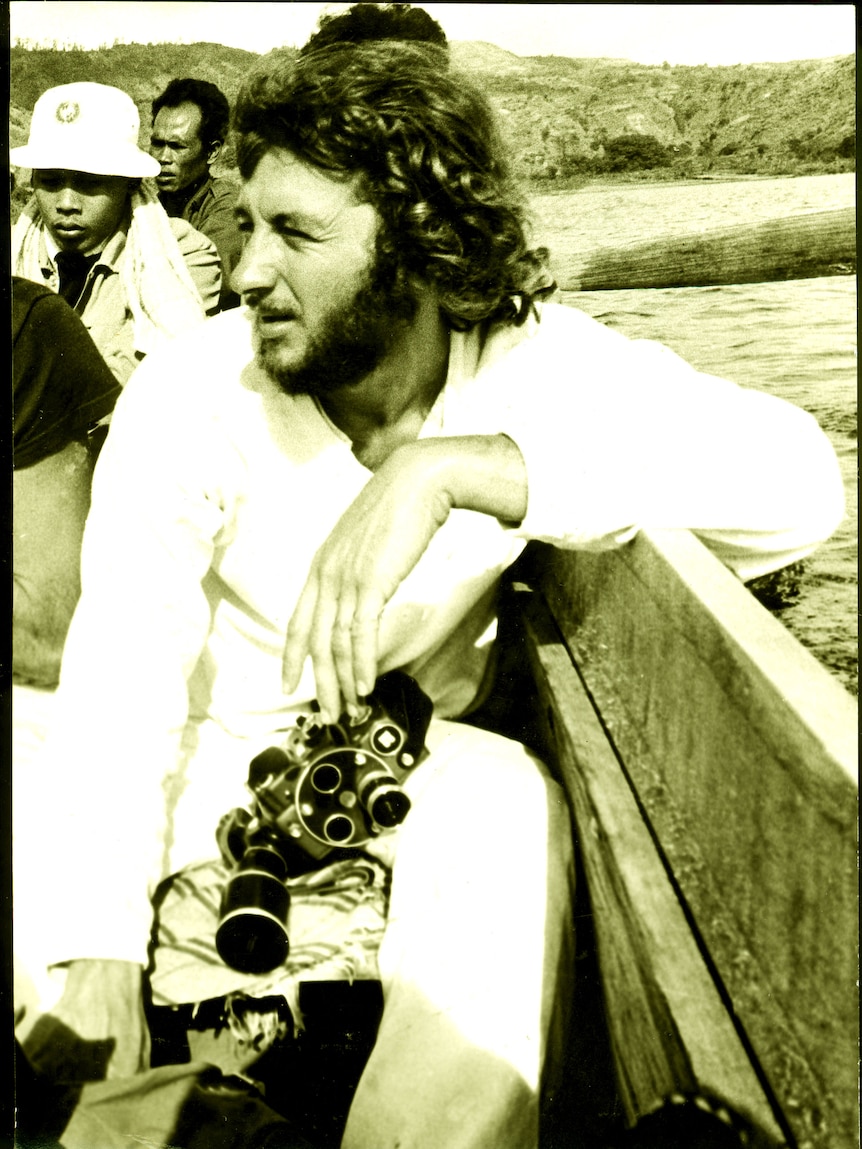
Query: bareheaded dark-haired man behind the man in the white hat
190	128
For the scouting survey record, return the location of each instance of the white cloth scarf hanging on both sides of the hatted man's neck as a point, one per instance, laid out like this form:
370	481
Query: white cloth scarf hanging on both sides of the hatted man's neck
158	287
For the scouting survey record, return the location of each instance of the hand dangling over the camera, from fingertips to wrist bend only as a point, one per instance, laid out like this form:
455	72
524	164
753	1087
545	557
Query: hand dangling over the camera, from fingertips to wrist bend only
371	552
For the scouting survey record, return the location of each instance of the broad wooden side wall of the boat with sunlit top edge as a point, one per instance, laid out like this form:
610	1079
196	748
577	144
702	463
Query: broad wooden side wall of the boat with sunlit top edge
742	750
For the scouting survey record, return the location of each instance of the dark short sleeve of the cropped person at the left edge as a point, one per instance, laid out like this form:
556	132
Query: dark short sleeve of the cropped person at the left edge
61	385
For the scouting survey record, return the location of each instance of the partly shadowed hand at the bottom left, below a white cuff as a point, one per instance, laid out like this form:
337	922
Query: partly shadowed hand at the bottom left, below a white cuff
97	1030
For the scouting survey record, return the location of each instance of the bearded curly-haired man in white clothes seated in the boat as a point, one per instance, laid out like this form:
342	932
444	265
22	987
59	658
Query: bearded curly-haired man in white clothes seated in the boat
353	460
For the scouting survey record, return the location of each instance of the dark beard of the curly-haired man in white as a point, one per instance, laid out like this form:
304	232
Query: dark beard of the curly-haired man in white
355	338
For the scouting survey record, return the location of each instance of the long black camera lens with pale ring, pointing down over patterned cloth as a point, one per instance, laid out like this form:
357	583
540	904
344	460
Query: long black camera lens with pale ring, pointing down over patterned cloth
252	935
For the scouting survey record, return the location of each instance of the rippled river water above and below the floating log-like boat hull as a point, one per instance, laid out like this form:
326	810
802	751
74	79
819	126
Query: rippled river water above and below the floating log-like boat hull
796	340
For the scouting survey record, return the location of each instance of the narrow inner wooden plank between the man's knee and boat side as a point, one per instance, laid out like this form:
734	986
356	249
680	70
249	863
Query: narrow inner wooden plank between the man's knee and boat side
671	1030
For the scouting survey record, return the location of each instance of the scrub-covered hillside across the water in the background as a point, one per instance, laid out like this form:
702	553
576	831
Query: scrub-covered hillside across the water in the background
566	119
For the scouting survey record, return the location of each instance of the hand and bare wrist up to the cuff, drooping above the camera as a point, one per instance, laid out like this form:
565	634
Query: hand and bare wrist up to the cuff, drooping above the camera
375	546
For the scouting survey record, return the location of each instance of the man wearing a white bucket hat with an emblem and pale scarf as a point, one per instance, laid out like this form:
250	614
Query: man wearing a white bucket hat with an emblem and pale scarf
96	234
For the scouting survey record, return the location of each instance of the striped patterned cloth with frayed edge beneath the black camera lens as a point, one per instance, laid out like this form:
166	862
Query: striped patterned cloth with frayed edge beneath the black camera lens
336	924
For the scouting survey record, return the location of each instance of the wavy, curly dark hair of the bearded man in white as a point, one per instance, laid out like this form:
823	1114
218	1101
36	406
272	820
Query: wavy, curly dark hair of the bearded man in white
425	145
